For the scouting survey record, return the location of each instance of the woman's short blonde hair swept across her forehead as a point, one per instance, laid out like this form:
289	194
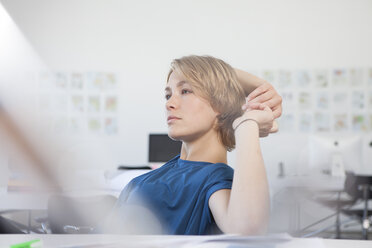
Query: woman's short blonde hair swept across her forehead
216	81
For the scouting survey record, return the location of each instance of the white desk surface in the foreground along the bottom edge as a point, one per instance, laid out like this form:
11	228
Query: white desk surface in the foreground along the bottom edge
111	241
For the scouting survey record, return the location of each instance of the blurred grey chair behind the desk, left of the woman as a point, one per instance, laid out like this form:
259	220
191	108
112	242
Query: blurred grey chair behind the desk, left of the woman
76	215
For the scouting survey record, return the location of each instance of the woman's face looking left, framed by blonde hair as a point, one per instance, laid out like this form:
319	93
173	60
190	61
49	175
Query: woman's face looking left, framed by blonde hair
189	116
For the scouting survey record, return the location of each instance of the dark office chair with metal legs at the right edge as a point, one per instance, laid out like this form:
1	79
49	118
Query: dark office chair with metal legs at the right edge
358	189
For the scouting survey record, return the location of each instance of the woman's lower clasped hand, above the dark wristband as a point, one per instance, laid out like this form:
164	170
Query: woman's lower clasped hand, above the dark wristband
264	117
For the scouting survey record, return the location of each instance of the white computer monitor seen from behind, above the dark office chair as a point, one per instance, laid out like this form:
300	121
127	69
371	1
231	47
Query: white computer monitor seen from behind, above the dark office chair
335	154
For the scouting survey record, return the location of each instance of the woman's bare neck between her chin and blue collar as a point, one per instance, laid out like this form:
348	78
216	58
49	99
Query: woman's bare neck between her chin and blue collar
206	148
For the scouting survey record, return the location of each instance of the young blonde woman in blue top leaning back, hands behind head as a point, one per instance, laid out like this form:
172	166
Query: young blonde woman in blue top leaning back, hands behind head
196	192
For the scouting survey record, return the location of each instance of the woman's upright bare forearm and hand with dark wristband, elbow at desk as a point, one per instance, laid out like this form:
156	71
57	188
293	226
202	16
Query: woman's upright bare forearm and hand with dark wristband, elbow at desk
245	208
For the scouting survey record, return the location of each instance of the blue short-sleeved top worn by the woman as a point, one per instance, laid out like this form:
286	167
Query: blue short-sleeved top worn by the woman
178	193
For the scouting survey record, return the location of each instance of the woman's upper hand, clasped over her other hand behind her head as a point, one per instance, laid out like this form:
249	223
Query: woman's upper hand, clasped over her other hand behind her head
265	95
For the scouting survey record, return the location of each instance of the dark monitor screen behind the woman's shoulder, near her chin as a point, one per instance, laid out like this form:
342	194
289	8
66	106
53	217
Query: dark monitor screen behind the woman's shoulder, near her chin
162	148
